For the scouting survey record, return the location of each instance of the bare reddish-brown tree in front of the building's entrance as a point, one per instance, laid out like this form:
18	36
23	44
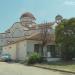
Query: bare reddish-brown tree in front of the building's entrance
45	35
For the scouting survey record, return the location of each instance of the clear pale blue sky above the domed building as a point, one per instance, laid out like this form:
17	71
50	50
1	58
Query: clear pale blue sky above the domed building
43	10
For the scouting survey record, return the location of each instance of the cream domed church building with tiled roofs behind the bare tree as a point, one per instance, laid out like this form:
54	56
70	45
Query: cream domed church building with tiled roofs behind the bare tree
24	38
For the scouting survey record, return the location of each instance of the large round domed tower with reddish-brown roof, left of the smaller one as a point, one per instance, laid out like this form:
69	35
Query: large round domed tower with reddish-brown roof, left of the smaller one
27	19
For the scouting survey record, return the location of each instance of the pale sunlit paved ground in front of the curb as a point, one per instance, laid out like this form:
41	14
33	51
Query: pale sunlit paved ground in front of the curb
18	69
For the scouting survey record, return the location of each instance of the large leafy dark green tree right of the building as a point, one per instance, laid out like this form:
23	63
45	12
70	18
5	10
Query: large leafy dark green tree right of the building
65	38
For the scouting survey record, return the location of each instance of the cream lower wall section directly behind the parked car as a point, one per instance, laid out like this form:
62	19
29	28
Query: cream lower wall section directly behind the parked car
10	49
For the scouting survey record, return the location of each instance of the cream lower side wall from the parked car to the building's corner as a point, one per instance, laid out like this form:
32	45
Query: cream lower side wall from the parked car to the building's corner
17	50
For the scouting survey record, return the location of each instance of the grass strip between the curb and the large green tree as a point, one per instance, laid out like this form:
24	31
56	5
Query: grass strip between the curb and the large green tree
60	65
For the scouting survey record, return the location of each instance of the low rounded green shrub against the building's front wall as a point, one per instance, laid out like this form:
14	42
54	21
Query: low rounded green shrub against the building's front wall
34	58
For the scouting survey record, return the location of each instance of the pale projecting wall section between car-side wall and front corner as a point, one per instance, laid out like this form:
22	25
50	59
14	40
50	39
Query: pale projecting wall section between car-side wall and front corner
21	50
